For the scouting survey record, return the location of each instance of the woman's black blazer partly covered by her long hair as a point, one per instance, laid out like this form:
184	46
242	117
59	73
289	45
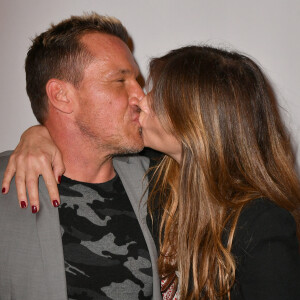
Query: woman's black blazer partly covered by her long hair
265	248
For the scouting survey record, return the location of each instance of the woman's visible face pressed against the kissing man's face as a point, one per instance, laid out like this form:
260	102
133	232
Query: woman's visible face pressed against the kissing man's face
154	135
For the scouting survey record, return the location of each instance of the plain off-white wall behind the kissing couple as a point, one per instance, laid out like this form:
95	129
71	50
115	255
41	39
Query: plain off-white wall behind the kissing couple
267	30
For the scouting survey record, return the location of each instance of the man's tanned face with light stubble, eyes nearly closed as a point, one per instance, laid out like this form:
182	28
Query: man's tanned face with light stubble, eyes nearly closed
107	98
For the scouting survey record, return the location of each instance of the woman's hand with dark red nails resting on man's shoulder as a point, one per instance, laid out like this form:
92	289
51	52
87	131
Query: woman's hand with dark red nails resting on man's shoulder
35	155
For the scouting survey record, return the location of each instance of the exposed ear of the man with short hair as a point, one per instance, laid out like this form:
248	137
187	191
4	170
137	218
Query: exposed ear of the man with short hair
59	95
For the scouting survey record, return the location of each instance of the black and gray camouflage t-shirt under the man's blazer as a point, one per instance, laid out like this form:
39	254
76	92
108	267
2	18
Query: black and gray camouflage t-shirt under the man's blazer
105	253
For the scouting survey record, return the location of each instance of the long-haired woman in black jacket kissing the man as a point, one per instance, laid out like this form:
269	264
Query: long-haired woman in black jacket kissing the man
226	194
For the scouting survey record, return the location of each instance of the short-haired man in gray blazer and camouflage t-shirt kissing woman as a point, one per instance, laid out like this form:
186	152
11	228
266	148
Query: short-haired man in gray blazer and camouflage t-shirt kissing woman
81	81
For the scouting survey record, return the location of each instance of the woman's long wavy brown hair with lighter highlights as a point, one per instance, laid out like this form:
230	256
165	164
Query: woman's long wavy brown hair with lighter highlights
234	149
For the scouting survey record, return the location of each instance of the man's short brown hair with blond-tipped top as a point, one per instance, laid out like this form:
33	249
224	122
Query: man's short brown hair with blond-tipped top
58	53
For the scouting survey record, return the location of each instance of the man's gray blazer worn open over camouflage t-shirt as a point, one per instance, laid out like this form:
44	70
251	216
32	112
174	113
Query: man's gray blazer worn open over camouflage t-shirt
31	253
